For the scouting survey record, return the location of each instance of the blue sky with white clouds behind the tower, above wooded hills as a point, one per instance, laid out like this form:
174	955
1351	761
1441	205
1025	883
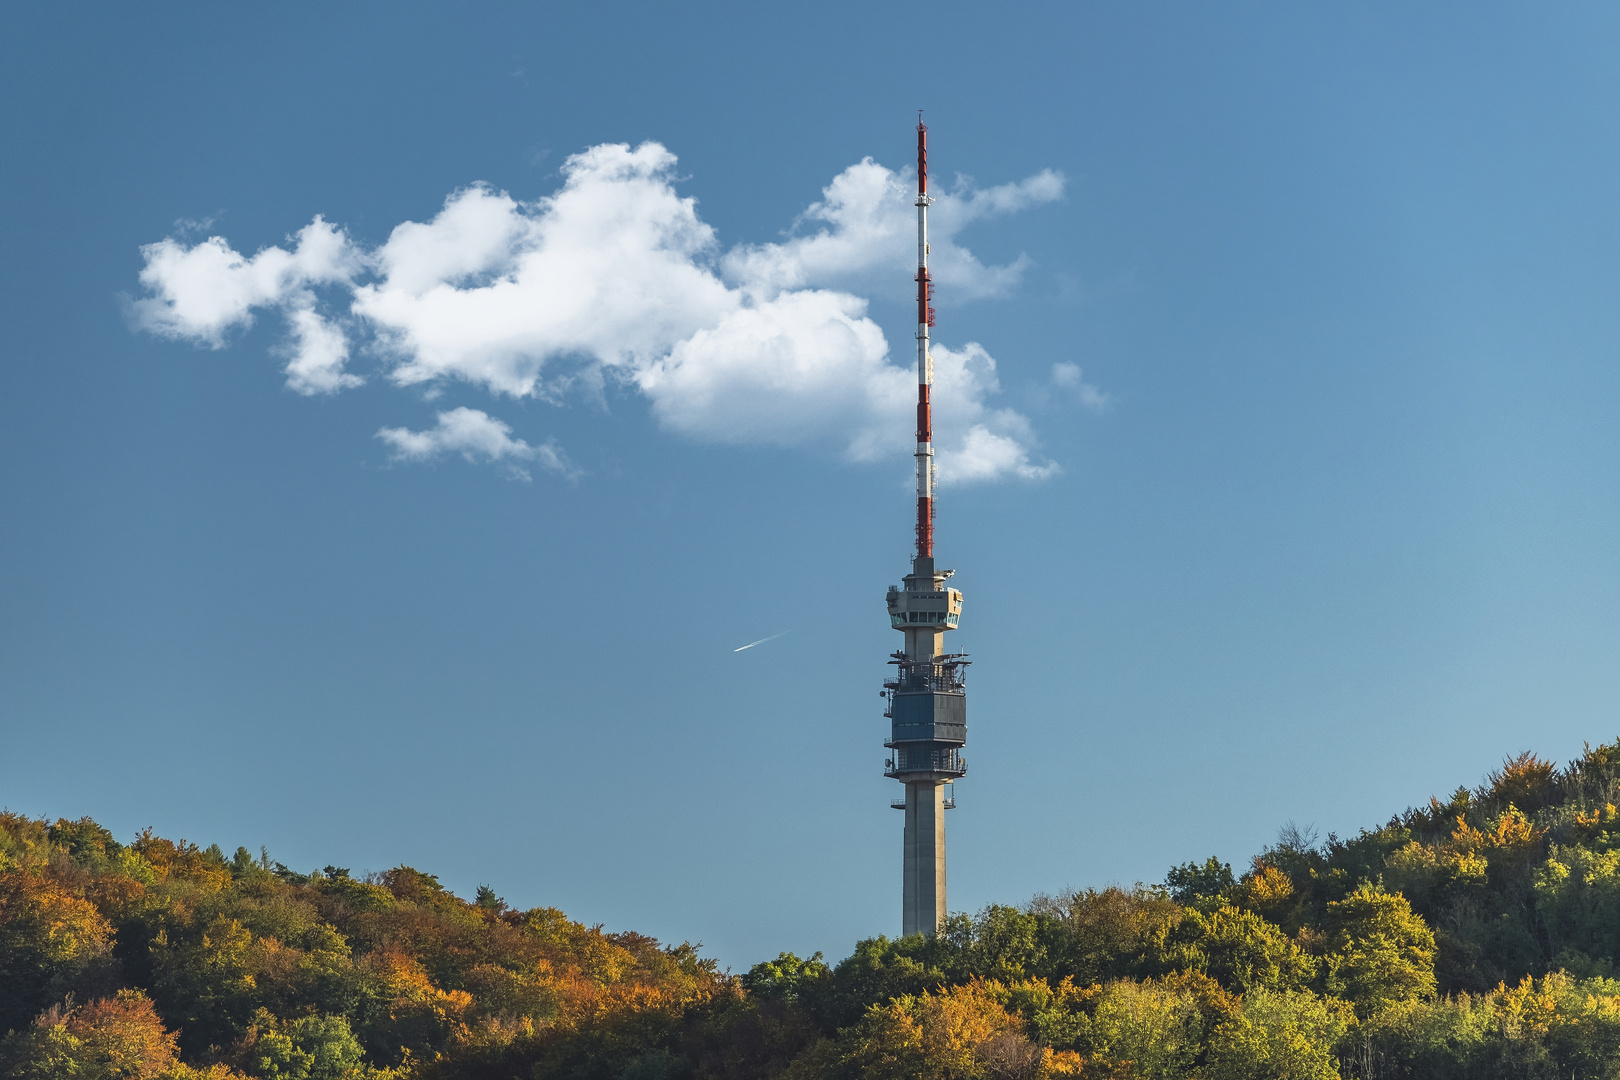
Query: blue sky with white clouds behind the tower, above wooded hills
1298	503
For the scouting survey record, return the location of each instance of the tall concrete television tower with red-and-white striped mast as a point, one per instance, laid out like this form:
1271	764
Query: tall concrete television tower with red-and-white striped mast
926	697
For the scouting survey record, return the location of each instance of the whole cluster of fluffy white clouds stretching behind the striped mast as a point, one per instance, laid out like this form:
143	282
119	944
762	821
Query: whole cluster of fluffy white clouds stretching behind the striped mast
616	279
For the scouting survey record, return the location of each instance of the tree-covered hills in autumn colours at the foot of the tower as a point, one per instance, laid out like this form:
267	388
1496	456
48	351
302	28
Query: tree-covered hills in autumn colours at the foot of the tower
1475	937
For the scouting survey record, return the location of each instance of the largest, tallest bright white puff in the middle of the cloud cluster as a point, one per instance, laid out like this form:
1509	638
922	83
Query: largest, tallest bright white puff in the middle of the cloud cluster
493	291
